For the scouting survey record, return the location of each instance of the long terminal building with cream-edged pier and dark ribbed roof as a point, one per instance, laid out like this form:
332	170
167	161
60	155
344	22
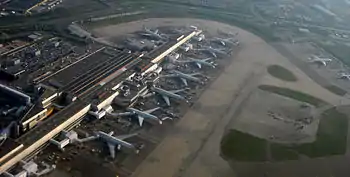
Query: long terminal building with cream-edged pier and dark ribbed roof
88	86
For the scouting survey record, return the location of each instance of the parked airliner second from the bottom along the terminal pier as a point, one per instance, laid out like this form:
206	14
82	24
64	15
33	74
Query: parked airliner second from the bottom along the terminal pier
141	115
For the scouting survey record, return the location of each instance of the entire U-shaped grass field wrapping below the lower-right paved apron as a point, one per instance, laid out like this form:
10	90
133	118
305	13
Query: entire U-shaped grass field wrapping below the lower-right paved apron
331	140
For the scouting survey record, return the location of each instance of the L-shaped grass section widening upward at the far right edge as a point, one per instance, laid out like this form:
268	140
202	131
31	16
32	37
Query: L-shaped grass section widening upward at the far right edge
331	136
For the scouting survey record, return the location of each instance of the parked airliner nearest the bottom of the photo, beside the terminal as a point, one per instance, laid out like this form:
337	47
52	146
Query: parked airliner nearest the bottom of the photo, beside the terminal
117	141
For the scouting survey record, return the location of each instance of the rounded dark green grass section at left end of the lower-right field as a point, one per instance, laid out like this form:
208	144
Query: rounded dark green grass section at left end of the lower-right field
243	147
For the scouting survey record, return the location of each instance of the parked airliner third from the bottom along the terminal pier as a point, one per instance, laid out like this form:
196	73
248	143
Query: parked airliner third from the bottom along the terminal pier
166	95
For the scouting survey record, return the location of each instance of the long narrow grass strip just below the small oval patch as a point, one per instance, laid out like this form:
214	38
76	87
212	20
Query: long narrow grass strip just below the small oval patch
293	94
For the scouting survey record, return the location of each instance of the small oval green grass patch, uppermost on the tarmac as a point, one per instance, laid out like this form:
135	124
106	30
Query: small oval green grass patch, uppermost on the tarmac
281	73
